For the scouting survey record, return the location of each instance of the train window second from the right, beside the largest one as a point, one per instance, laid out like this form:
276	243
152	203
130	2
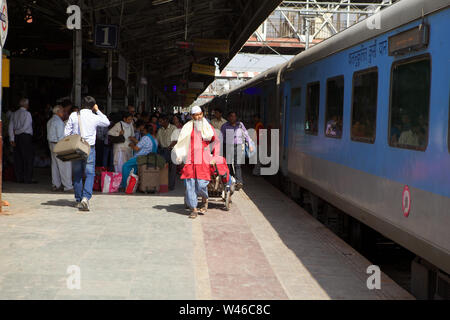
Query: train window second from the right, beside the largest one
364	106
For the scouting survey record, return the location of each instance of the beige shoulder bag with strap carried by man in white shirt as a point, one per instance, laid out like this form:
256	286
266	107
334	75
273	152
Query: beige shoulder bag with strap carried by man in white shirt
73	147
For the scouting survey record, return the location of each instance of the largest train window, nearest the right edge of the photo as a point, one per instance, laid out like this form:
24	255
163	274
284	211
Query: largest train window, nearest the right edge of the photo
410	99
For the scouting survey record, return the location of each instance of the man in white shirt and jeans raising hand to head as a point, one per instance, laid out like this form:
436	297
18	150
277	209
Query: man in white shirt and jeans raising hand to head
91	118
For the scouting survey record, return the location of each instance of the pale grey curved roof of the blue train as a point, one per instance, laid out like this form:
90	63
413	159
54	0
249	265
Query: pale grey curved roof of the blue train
400	13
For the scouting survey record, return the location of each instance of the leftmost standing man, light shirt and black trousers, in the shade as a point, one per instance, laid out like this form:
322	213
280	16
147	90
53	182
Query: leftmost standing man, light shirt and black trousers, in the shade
21	137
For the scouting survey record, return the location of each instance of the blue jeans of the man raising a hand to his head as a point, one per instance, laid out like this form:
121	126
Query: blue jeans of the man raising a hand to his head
80	168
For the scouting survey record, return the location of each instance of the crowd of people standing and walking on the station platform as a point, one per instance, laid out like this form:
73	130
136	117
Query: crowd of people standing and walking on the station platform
117	140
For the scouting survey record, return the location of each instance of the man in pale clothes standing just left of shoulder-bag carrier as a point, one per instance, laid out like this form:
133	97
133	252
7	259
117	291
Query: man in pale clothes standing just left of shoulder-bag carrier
61	171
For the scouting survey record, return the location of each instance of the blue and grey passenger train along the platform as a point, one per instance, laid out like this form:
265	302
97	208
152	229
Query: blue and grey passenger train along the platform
364	123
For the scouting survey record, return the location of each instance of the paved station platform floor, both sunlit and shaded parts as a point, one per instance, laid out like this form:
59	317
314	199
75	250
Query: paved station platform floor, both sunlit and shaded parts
146	247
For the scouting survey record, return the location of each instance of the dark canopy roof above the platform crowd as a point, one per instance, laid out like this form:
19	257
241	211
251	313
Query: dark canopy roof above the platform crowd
157	35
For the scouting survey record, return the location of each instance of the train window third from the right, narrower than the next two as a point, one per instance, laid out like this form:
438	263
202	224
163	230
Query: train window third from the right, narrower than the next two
335	107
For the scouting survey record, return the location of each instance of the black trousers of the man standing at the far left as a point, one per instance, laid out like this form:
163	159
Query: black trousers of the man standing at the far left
23	157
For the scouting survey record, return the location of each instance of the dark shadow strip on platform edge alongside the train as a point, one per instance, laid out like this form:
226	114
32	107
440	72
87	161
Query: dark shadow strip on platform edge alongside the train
322	253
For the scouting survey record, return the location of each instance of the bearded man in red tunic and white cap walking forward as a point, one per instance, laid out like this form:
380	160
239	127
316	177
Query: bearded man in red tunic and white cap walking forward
193	146
